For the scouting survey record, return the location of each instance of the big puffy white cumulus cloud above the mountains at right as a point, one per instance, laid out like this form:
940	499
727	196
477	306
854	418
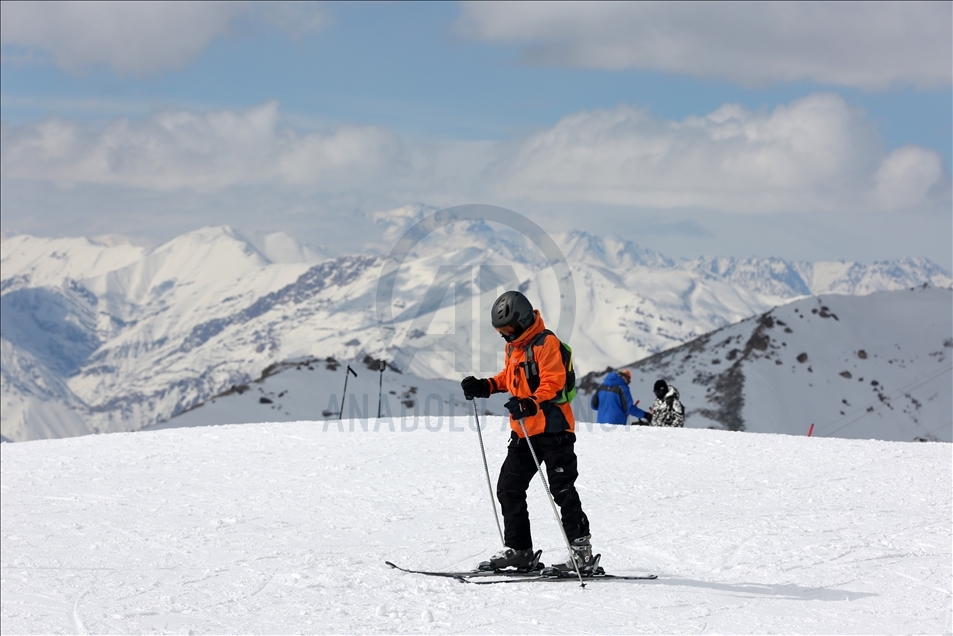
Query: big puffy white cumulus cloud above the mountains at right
814	154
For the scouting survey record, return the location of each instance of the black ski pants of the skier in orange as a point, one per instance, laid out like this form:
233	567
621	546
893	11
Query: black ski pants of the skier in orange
556	452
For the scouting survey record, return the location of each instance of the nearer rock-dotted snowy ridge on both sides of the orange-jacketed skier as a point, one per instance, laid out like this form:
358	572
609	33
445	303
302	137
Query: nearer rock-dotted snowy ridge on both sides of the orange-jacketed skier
854	366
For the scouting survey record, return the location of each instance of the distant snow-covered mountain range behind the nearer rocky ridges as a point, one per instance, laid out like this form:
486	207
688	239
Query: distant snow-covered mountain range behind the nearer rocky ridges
106	335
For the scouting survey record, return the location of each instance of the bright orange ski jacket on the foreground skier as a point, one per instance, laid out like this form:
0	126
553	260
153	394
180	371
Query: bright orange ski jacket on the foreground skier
551	417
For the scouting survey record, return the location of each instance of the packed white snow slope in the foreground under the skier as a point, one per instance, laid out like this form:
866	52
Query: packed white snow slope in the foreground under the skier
285	527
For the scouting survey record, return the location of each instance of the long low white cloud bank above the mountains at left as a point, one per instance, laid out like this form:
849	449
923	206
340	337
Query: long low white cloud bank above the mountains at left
203	151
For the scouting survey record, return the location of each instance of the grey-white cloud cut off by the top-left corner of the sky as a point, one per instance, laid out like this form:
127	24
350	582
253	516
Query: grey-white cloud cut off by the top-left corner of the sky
136	38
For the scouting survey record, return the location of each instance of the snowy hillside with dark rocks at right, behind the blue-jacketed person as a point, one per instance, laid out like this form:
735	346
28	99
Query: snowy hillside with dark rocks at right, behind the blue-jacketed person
863	367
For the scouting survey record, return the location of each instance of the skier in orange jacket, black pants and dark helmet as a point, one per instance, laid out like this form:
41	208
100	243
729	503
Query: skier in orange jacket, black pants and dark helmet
535	389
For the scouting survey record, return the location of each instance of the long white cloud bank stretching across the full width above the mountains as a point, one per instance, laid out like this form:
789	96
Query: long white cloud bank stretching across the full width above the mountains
815	154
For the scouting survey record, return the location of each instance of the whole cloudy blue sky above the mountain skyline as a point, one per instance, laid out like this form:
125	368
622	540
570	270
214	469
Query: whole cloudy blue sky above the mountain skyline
436	104
